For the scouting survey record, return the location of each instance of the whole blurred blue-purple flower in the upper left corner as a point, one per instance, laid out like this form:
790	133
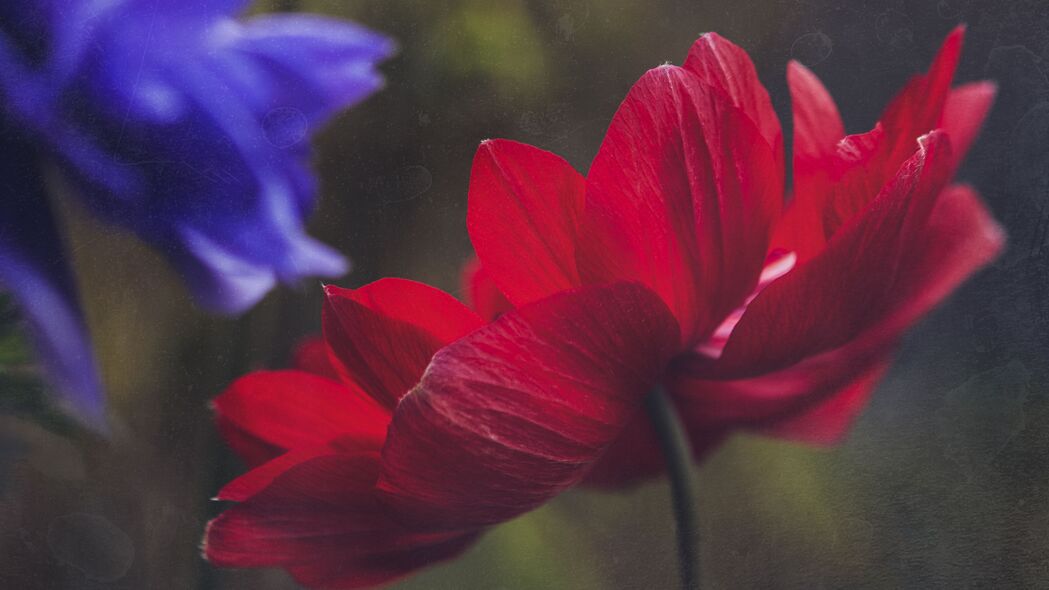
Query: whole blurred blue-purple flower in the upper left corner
180	123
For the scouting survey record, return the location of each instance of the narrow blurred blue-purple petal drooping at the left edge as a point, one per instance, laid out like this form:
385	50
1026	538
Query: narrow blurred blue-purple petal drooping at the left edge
33	269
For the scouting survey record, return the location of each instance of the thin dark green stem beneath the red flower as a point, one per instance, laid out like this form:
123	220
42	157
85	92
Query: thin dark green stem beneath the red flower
678	456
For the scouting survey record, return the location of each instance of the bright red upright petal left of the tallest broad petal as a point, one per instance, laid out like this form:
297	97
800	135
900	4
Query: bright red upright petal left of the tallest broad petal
525	205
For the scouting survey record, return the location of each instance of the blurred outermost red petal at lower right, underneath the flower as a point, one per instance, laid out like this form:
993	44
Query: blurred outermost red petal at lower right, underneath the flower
817	399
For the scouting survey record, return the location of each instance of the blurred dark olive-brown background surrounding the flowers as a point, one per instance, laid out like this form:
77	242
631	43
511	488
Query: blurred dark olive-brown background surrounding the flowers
945	483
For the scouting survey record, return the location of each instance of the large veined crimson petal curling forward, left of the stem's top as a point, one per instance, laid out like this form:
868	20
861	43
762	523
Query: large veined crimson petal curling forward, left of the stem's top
518	412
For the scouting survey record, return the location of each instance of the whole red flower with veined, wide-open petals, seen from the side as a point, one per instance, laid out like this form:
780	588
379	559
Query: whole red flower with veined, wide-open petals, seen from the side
672	263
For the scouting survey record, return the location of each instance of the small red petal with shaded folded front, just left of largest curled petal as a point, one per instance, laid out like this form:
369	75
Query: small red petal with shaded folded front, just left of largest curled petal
384	334
